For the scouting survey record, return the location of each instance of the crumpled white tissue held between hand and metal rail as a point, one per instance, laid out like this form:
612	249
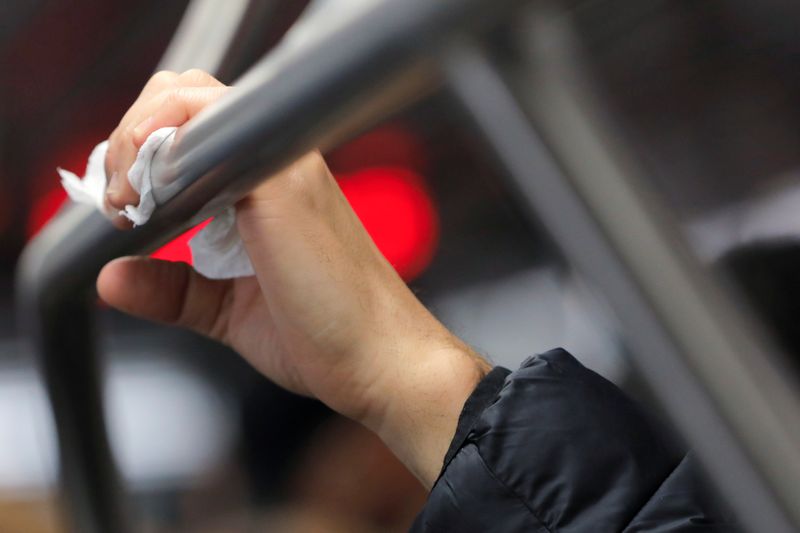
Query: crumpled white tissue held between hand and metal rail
217	250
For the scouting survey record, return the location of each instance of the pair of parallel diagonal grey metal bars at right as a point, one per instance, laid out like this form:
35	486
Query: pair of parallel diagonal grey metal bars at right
705	363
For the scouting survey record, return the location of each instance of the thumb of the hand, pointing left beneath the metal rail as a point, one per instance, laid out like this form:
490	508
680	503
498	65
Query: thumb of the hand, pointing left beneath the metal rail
168	292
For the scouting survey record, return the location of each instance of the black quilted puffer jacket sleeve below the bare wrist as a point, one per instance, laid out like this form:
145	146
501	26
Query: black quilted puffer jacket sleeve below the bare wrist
555	447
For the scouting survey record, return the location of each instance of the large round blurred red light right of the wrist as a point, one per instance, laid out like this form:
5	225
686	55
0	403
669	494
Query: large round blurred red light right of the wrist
398	213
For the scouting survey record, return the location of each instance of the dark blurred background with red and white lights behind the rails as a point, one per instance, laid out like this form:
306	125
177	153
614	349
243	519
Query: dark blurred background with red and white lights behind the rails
705	92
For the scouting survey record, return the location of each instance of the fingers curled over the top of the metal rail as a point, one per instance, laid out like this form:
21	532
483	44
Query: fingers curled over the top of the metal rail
168	99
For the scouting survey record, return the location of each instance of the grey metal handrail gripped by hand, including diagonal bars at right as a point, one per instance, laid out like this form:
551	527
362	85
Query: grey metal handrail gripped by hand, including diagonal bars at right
317	94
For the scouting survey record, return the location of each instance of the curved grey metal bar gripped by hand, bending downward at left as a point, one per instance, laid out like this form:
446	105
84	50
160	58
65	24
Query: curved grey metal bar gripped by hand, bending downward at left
309	94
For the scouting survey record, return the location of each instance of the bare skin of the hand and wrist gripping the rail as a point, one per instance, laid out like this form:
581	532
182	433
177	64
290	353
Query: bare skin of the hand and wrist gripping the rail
325	315
